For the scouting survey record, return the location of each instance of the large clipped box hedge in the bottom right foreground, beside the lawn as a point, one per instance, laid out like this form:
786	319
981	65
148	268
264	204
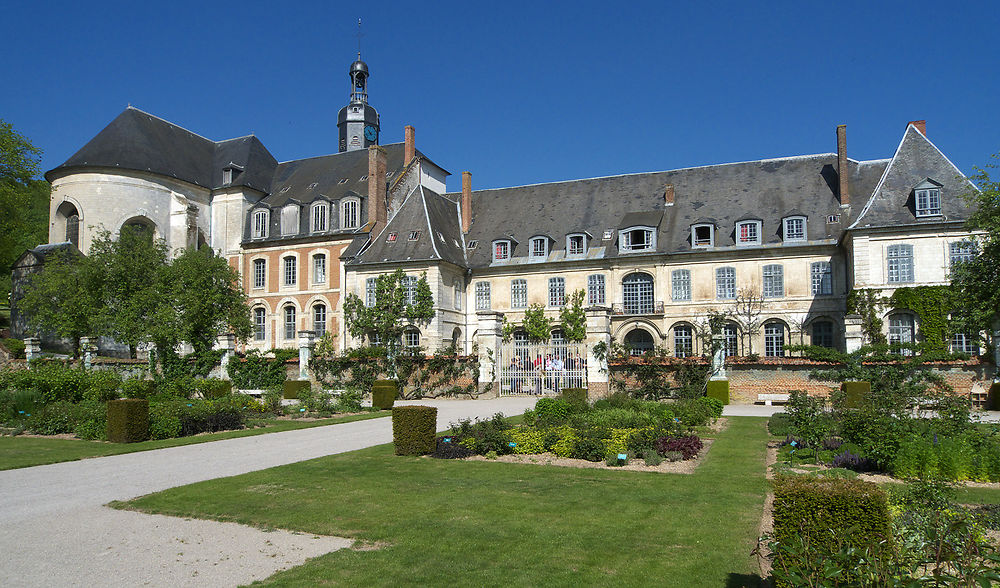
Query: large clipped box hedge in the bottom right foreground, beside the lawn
829	512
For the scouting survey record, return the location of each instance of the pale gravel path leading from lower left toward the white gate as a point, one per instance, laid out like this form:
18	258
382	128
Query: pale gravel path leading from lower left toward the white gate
57	533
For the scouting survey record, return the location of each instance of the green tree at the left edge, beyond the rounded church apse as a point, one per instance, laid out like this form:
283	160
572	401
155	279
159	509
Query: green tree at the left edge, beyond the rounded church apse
24	200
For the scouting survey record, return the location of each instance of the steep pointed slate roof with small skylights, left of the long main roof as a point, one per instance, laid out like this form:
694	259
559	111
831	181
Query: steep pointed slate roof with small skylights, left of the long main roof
437	221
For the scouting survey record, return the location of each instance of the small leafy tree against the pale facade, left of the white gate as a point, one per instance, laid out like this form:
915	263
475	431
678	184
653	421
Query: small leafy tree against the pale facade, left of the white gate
398	299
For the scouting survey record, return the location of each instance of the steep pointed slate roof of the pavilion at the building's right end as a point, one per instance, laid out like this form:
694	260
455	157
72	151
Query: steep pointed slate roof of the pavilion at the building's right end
891	202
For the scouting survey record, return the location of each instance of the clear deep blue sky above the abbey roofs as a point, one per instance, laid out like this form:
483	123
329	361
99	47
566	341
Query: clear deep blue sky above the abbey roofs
518	92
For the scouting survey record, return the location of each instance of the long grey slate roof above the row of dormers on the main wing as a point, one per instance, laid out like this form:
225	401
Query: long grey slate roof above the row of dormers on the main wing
768	190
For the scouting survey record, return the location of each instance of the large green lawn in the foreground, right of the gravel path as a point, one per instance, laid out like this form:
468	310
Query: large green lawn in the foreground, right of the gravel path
439	522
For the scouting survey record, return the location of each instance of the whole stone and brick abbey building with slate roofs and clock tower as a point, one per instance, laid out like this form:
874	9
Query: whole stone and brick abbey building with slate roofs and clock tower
653	252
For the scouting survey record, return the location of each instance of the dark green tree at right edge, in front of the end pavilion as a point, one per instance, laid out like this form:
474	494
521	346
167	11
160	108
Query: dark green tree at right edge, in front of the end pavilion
976	282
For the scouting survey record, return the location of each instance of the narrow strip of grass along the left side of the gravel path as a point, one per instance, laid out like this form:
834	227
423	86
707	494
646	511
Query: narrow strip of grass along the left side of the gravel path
20	451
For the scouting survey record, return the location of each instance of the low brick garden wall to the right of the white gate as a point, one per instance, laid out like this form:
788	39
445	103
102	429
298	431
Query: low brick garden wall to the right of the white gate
780	375
